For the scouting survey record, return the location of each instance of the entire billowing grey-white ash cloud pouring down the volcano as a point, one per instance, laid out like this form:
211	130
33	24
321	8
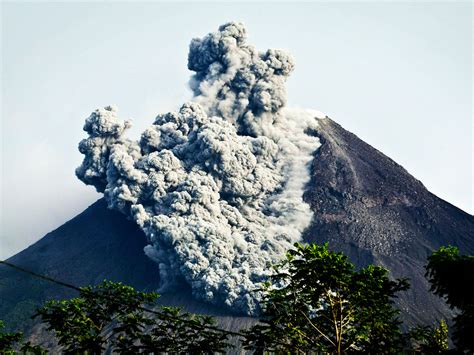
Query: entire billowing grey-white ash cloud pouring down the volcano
217	186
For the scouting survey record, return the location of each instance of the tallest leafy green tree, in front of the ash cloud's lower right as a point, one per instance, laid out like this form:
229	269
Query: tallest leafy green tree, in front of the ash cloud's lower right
316	301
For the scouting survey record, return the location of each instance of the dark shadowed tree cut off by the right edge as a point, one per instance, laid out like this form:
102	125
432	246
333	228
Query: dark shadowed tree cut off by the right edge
452	277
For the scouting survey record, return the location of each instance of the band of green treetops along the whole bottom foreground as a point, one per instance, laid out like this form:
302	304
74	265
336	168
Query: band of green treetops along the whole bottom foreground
315	302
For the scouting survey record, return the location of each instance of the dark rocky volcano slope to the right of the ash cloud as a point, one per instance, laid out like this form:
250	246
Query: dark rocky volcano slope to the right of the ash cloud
370	208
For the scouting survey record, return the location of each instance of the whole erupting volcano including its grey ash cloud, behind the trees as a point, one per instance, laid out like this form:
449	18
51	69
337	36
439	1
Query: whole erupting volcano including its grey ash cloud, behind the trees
212	196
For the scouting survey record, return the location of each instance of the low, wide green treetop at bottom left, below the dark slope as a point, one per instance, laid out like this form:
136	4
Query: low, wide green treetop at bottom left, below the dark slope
114	316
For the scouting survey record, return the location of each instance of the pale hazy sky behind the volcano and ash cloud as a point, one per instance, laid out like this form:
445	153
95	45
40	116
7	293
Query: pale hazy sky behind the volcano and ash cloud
399	75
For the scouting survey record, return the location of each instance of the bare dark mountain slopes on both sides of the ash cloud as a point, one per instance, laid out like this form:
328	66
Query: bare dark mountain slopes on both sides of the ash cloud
365	205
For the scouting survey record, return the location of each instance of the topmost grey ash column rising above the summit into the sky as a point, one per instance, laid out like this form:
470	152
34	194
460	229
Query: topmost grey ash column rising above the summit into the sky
235	81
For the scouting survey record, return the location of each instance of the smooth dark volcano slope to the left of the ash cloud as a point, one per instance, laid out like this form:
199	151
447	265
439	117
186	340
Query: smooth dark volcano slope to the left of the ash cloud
97	244
